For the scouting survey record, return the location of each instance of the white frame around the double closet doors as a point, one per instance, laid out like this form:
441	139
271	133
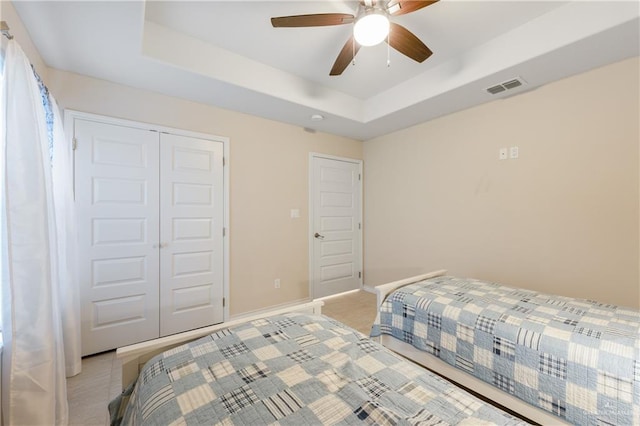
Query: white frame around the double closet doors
71	115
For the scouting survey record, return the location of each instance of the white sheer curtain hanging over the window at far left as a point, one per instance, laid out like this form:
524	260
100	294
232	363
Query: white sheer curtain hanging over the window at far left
39	296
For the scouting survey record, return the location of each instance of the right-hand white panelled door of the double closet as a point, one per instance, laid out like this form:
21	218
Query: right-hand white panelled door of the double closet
191	254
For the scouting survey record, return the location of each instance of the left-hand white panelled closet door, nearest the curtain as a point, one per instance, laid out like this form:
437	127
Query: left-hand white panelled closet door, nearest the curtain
116	186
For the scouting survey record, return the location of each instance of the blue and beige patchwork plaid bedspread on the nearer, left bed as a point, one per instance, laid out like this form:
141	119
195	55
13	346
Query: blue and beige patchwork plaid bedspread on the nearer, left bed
296	369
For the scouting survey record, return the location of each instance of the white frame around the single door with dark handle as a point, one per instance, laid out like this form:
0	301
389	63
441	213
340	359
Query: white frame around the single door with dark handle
312	156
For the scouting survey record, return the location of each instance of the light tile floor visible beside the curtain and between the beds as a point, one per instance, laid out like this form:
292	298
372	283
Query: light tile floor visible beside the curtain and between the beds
90	391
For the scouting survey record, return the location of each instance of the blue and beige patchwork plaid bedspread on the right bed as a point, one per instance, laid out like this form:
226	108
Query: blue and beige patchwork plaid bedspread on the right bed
575	358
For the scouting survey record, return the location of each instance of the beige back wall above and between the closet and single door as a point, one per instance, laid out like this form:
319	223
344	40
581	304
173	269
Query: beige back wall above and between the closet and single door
269	176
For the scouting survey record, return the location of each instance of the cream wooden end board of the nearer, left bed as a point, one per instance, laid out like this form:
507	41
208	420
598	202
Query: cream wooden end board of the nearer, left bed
135	356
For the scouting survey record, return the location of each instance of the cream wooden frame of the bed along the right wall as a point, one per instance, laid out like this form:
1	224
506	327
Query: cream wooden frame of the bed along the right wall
452	373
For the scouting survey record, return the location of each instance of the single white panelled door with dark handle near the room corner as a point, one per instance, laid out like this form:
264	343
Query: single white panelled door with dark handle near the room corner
335	225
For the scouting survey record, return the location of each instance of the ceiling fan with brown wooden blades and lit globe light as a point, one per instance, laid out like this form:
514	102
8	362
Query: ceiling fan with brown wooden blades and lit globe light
369	12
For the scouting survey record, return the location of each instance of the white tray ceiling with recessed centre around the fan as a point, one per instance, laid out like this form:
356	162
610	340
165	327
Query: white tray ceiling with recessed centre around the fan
226	54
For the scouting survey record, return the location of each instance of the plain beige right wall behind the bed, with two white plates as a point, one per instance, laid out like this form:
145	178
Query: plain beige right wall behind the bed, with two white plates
563	218
